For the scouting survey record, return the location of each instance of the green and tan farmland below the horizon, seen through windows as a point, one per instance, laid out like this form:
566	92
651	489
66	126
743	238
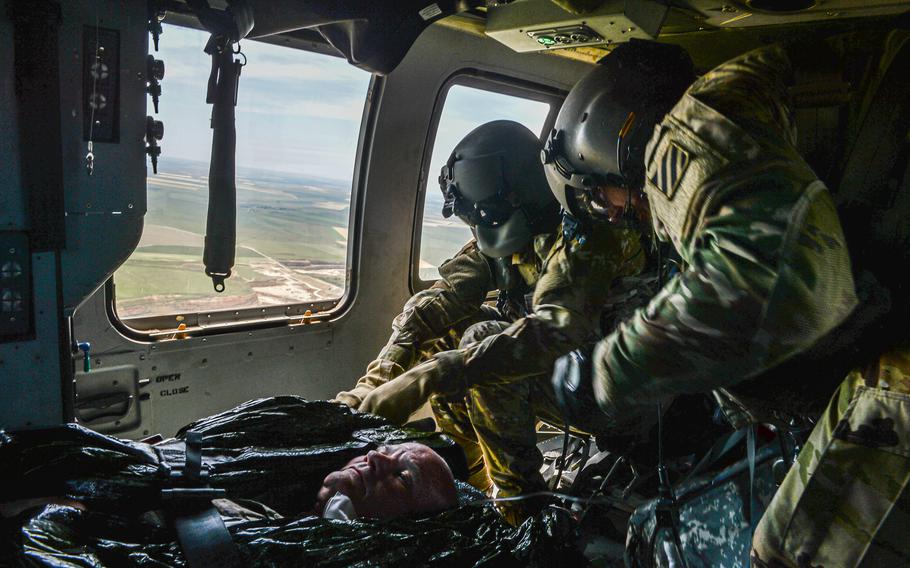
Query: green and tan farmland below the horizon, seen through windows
291	243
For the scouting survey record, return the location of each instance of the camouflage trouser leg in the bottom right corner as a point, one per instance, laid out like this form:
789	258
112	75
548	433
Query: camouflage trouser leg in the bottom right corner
845	501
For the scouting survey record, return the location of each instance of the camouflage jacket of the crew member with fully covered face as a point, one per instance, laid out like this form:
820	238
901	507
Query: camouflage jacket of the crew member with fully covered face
433	320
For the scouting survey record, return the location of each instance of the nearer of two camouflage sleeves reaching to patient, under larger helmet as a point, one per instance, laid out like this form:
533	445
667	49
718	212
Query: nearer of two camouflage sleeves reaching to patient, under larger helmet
568	299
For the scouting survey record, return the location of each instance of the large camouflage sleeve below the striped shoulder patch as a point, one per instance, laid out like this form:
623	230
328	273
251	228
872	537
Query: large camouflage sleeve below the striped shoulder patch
770	277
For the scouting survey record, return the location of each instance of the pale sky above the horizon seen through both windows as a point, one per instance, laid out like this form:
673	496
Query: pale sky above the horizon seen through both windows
300	112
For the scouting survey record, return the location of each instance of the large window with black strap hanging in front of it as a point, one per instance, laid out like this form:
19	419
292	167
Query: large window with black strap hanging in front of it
293	186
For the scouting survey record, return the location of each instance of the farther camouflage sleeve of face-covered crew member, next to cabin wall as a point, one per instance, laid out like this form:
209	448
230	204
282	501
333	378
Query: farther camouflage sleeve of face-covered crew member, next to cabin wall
462	288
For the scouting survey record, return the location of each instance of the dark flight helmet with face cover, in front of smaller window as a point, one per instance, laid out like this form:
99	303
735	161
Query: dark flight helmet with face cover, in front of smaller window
494	182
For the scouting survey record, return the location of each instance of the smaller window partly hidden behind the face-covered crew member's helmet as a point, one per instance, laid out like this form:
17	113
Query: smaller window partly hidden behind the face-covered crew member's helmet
465	108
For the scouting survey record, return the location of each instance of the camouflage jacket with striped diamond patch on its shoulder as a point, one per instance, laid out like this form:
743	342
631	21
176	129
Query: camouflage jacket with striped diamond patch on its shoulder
766	268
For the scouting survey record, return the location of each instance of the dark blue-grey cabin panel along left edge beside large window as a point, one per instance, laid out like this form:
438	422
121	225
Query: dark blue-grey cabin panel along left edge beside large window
63	231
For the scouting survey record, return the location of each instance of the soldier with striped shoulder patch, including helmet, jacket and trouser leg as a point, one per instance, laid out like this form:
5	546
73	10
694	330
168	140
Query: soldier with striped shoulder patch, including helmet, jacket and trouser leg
766	273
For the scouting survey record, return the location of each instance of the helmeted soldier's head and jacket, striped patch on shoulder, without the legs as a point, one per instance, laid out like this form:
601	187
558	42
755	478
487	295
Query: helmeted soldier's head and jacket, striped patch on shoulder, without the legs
766	269
